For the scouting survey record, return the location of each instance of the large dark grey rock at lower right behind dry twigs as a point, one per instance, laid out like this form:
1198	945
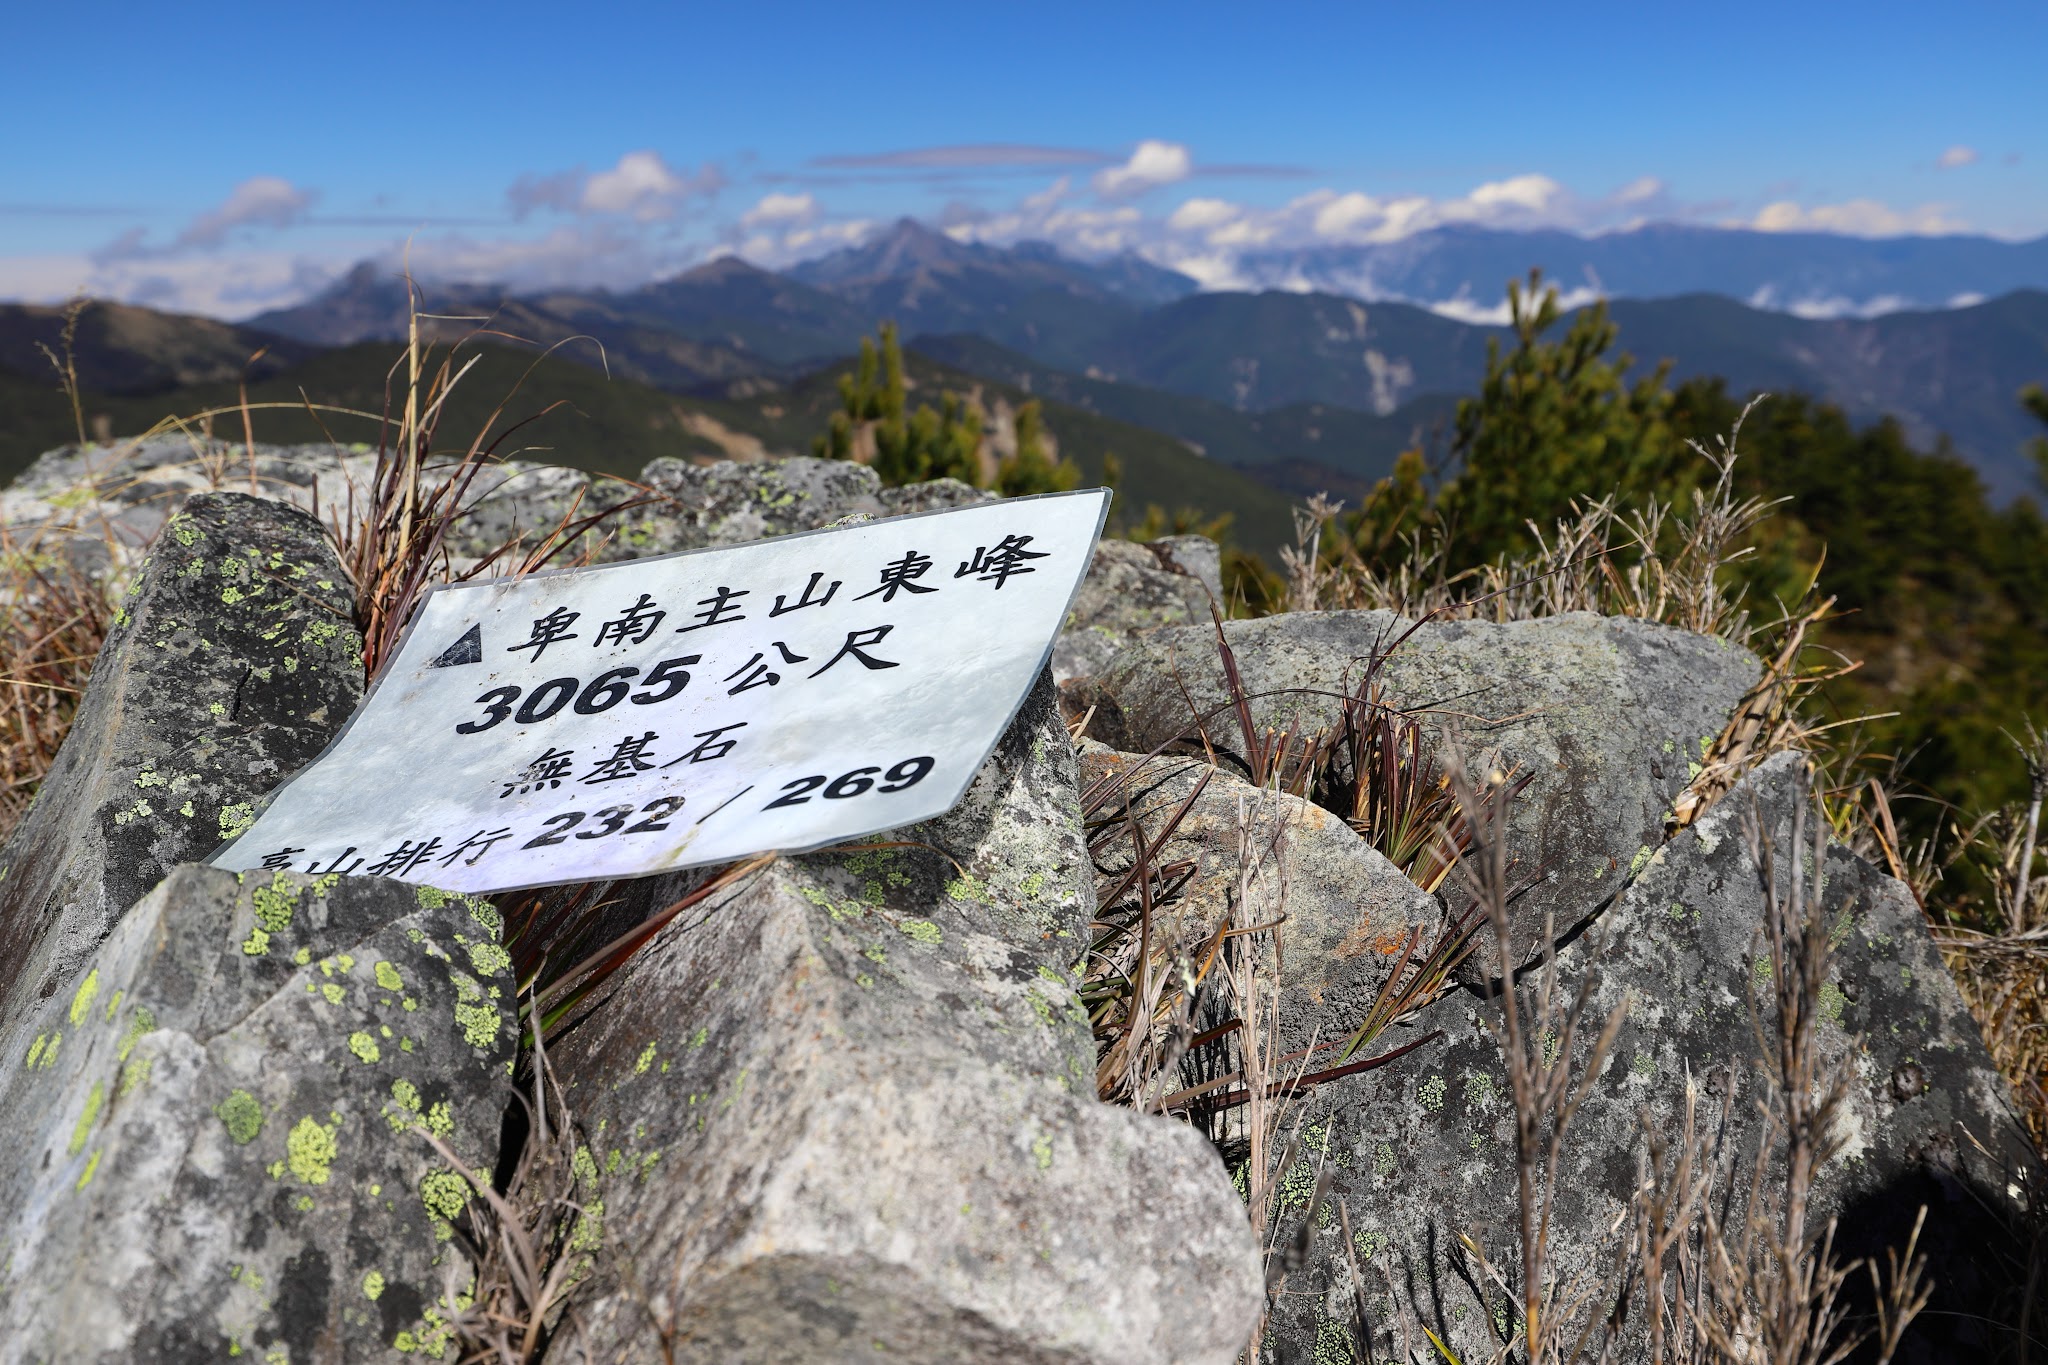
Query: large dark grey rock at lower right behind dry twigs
1422	1151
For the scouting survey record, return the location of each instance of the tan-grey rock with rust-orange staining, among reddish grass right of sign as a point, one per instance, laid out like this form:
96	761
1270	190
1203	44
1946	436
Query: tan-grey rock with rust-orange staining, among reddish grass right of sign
1347	908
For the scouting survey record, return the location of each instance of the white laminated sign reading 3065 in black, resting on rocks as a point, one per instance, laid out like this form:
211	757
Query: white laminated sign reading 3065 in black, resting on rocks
693	709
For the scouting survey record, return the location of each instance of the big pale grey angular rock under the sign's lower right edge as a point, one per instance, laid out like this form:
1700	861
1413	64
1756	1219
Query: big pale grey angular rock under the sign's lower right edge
851	1116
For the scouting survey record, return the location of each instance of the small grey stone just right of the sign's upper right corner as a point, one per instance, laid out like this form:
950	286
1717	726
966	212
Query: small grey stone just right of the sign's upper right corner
1132	588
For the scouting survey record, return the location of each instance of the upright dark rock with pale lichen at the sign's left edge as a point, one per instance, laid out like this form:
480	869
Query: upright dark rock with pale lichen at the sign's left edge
232	662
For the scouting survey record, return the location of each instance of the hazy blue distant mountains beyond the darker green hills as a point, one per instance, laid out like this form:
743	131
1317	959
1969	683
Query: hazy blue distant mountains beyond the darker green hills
1302	386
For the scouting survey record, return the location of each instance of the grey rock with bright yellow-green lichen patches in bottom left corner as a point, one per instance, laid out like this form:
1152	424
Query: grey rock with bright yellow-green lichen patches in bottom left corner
212	1135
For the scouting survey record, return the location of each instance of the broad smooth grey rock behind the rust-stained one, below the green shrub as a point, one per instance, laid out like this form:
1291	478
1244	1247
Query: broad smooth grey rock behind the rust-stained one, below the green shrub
1607	715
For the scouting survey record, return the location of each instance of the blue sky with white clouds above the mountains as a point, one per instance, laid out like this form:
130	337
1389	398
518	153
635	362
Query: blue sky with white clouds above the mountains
226	159
